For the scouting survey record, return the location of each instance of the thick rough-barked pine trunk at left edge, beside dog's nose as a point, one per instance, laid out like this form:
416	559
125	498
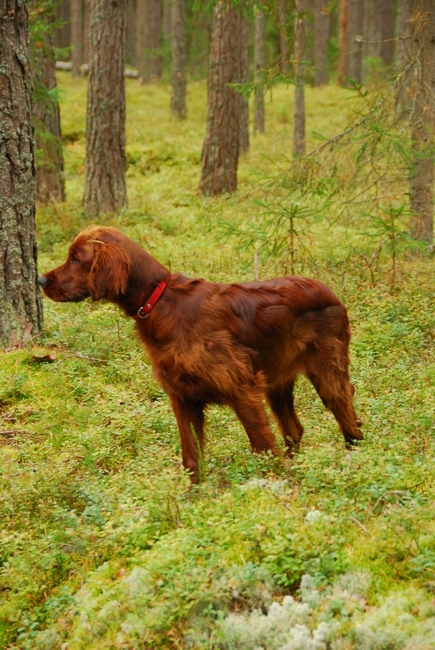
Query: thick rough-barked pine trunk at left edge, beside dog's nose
20	299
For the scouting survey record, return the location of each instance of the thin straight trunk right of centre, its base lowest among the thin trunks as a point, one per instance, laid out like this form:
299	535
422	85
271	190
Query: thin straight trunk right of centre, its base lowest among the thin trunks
299	56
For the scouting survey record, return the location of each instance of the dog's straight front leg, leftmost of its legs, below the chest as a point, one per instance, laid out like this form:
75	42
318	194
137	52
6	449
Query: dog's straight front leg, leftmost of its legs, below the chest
187	414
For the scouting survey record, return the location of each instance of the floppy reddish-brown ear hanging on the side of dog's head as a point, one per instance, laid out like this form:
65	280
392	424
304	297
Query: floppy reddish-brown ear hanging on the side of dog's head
110	270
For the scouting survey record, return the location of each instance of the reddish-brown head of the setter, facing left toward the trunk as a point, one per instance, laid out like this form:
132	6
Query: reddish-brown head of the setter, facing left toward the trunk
98	265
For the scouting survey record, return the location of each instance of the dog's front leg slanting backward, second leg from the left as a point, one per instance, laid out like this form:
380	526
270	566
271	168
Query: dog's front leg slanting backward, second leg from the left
250	410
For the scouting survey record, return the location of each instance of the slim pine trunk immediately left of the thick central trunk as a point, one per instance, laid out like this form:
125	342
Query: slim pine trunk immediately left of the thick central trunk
178	64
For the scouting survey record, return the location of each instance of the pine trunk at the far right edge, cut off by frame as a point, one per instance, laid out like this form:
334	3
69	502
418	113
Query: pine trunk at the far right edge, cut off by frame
422	178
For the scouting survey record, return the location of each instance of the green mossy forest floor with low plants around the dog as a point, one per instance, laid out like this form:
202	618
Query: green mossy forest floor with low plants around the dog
101	543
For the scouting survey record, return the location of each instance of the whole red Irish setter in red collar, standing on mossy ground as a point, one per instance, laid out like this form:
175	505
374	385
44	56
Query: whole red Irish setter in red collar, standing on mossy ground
220	343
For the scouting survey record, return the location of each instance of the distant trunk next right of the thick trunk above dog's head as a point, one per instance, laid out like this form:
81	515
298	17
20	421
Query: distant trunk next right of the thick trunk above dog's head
149	39
